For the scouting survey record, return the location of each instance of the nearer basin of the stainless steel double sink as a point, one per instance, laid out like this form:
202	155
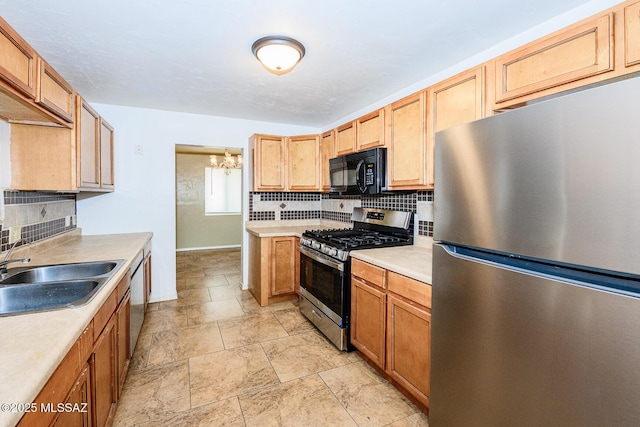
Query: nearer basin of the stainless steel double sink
32	297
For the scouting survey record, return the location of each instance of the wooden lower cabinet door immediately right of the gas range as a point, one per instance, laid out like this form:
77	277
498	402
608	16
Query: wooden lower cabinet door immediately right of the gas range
368	308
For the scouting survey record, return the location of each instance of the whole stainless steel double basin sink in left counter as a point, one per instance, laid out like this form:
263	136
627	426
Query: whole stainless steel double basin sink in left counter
53	287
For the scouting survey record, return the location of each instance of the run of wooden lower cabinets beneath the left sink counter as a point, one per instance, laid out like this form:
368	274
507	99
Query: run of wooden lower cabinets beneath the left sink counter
84	389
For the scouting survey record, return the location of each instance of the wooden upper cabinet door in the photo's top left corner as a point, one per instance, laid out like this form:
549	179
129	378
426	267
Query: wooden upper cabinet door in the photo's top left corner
17	61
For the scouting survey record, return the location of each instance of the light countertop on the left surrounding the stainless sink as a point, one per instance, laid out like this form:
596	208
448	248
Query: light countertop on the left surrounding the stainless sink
32	345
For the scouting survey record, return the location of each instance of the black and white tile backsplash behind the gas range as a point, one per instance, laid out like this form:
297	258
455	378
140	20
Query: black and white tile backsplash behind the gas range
273	206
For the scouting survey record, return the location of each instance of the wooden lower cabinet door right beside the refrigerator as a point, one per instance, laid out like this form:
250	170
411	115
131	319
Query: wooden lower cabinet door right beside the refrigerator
409	346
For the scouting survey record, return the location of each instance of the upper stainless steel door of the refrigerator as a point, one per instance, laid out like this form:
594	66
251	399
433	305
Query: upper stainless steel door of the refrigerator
556	180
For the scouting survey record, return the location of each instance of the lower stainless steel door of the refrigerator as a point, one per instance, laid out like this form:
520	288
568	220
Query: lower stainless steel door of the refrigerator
512	348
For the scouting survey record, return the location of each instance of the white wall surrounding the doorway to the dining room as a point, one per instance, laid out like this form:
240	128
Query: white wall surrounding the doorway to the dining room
144	199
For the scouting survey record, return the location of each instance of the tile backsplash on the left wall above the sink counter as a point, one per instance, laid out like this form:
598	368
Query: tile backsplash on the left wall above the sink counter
39	215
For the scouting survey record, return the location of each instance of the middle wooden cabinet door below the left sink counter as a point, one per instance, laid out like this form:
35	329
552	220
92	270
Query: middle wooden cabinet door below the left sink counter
104	376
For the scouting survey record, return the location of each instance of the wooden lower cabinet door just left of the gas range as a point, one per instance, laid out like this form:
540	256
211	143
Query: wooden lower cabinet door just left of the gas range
283	265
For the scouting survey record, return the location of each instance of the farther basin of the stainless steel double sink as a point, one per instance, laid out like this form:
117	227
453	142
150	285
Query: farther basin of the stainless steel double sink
50	273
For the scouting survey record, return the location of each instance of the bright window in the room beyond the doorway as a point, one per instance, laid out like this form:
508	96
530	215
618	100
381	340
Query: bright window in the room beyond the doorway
222	192
